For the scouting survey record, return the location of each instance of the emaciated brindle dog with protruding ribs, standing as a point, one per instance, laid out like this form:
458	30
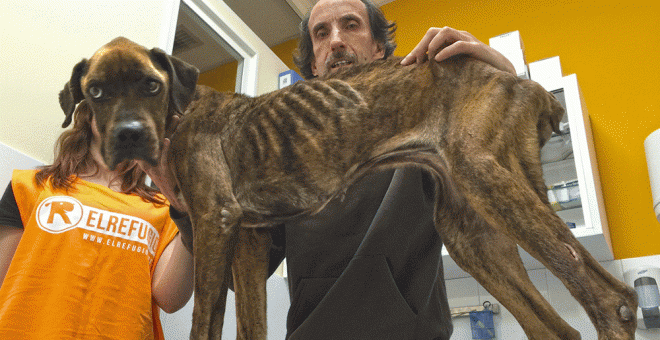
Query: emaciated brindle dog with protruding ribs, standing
243	163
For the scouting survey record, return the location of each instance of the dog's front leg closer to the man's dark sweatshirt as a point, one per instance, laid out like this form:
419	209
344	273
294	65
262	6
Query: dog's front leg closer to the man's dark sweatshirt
250	271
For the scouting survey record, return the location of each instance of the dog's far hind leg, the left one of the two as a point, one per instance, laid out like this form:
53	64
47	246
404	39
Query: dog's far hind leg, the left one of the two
493	260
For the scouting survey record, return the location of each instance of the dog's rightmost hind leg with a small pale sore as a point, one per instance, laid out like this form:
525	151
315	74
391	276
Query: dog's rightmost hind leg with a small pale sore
509	204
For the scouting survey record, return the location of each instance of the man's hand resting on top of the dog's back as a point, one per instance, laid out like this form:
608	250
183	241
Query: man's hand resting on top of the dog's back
446	42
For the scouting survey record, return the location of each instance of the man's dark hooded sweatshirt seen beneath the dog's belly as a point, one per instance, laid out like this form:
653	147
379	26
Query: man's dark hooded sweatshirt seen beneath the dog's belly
368	266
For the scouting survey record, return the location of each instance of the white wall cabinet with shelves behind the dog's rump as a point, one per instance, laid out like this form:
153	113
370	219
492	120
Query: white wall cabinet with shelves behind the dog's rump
569	157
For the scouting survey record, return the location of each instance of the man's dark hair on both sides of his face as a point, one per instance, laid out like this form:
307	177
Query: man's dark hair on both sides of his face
382	31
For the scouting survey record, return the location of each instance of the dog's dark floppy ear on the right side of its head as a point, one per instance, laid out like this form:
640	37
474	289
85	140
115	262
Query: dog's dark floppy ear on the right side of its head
183	78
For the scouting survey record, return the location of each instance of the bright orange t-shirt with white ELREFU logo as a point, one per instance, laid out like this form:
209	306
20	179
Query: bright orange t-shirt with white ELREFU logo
84	265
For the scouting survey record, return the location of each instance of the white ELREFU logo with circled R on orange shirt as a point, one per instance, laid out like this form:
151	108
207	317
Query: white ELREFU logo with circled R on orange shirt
58	214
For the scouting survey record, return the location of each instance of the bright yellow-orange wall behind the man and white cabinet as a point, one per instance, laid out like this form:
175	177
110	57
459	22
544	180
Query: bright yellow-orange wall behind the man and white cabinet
613	47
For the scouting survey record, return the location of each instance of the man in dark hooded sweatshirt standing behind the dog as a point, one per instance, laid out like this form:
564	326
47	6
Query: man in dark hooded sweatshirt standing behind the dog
369	265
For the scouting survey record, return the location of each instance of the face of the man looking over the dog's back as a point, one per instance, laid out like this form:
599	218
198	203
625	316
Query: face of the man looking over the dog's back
341	35
